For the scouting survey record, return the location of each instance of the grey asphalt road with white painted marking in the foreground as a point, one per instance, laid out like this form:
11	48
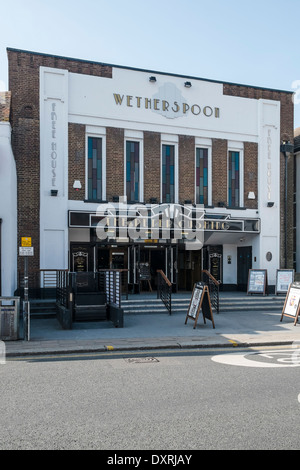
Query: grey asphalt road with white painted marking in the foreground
156	400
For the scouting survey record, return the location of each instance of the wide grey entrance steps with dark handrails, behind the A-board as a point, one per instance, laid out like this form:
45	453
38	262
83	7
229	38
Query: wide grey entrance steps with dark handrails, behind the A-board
228	302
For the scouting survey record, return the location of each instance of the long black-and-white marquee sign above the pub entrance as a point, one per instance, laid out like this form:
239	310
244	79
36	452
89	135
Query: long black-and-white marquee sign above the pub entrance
158	221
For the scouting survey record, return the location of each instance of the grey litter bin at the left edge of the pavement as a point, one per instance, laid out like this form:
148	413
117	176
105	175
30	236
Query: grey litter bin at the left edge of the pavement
9	318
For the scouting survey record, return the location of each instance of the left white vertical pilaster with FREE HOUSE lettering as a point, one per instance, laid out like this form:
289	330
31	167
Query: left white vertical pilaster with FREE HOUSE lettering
54	166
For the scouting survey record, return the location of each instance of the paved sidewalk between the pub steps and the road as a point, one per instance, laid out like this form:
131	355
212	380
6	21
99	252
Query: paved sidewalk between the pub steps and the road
155	330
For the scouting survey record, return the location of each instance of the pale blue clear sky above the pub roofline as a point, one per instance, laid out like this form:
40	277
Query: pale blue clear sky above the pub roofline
253	43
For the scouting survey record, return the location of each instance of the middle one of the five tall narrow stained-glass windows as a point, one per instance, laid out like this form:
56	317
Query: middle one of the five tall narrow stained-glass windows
168	173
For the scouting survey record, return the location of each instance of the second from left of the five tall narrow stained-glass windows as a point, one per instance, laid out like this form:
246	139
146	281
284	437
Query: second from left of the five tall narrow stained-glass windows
132	171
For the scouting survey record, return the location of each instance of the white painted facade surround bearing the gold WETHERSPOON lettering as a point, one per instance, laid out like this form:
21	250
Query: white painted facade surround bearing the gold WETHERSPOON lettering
124	102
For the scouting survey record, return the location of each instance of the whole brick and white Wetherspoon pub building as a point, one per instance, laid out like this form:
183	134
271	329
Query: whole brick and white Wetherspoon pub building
85	134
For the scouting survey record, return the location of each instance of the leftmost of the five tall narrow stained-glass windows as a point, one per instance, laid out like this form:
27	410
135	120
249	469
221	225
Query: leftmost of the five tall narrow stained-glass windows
94	168
